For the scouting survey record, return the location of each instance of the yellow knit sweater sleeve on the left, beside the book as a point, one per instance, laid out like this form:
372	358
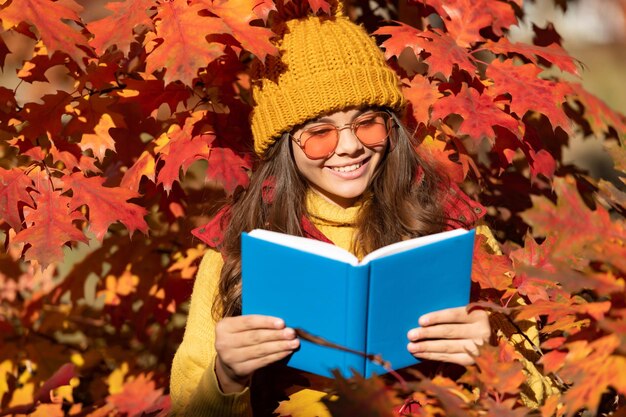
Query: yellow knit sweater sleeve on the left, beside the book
194	388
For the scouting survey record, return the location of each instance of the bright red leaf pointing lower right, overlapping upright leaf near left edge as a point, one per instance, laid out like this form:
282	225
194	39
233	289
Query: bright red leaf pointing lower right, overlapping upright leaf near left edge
107	205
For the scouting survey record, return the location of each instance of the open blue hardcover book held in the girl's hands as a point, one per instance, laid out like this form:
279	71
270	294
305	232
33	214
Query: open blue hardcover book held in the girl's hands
368	306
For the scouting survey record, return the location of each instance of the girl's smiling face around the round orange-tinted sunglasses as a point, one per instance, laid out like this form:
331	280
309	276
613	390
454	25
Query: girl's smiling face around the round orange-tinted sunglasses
345	175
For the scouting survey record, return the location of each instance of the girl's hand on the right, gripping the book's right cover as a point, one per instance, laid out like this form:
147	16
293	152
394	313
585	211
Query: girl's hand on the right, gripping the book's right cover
451	335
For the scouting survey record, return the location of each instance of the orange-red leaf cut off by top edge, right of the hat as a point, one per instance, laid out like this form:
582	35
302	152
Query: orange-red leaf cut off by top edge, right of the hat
465	18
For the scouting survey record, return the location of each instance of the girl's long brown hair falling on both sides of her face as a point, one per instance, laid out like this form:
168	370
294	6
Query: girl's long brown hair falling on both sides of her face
404	200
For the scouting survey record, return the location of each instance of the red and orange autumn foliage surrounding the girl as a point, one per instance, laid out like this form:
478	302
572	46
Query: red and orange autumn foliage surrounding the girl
129	127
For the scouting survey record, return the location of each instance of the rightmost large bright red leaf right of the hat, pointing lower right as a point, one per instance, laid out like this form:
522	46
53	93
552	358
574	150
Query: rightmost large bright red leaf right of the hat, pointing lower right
529	92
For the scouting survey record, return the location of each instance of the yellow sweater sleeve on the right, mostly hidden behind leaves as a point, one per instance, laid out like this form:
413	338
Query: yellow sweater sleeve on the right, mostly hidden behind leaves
537	387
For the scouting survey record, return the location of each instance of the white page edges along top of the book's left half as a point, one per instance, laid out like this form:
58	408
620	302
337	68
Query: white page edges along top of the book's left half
327	250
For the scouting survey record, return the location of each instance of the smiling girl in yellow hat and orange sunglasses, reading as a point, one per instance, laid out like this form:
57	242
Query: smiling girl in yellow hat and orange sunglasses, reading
335	165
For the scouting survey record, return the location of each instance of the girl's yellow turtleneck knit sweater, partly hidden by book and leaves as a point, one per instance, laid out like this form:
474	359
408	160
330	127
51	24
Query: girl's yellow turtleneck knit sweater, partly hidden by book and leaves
193	384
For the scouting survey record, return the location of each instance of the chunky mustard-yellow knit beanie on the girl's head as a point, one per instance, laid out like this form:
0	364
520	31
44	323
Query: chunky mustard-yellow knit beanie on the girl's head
326	64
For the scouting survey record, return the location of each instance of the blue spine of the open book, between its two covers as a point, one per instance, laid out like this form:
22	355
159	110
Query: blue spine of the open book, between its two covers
356	307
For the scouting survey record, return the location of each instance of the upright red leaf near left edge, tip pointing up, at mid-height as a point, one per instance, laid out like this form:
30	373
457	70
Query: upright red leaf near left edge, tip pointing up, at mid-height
49	226
